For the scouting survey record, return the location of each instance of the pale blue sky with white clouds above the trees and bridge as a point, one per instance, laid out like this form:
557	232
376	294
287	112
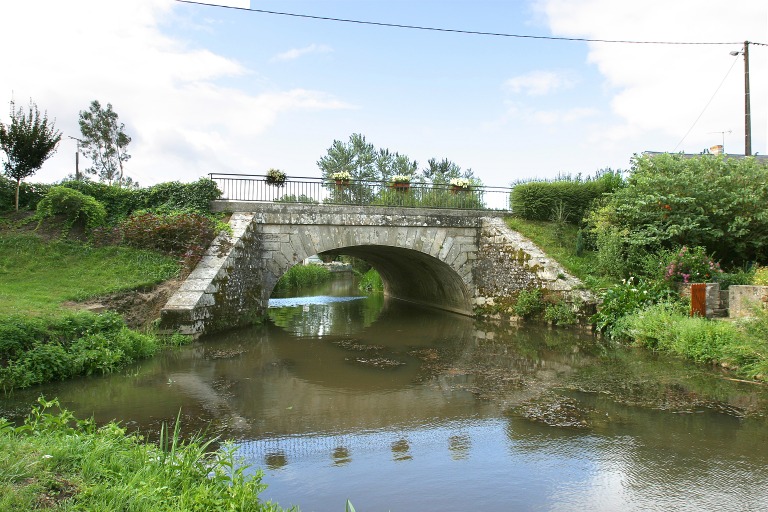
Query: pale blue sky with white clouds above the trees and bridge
205	89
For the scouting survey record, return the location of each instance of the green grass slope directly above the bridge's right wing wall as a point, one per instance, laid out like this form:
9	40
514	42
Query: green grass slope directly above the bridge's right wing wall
559	242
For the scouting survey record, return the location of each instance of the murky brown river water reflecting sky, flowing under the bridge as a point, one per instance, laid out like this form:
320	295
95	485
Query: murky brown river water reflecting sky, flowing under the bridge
395	407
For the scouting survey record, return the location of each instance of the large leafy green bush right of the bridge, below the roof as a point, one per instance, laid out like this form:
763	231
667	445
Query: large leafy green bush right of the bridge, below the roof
718	203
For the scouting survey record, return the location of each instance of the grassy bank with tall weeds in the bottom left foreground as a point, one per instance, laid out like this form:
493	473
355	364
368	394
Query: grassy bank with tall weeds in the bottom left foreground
56	462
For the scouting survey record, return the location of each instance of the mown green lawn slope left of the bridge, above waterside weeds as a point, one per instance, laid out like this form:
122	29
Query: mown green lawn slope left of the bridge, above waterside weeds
36	277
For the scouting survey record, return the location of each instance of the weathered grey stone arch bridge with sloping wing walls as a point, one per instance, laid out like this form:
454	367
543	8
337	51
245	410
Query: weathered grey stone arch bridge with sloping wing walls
456	260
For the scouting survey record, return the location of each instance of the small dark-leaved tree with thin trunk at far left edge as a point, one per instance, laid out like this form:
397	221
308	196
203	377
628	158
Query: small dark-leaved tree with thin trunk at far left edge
28	141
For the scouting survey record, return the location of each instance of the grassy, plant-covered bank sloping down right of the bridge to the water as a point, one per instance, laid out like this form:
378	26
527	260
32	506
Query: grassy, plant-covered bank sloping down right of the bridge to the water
647	313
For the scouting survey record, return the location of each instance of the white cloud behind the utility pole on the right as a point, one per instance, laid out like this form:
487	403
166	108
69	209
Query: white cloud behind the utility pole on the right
662	89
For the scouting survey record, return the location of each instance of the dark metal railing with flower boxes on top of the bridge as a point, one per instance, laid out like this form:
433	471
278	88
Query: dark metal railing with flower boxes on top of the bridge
253	187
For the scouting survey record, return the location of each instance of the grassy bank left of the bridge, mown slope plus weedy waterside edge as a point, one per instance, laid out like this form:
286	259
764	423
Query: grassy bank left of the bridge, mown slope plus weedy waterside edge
42	341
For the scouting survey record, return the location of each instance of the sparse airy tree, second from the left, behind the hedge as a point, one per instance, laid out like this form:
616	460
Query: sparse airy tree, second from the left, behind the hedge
104	142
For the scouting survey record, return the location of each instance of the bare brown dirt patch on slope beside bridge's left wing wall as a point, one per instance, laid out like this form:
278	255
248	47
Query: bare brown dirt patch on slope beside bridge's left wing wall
139	308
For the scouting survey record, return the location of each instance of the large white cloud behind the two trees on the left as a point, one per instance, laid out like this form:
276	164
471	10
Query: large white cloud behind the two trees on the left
184	118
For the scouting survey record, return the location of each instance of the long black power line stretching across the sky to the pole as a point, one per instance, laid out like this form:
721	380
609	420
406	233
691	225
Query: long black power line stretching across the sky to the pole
457	31
